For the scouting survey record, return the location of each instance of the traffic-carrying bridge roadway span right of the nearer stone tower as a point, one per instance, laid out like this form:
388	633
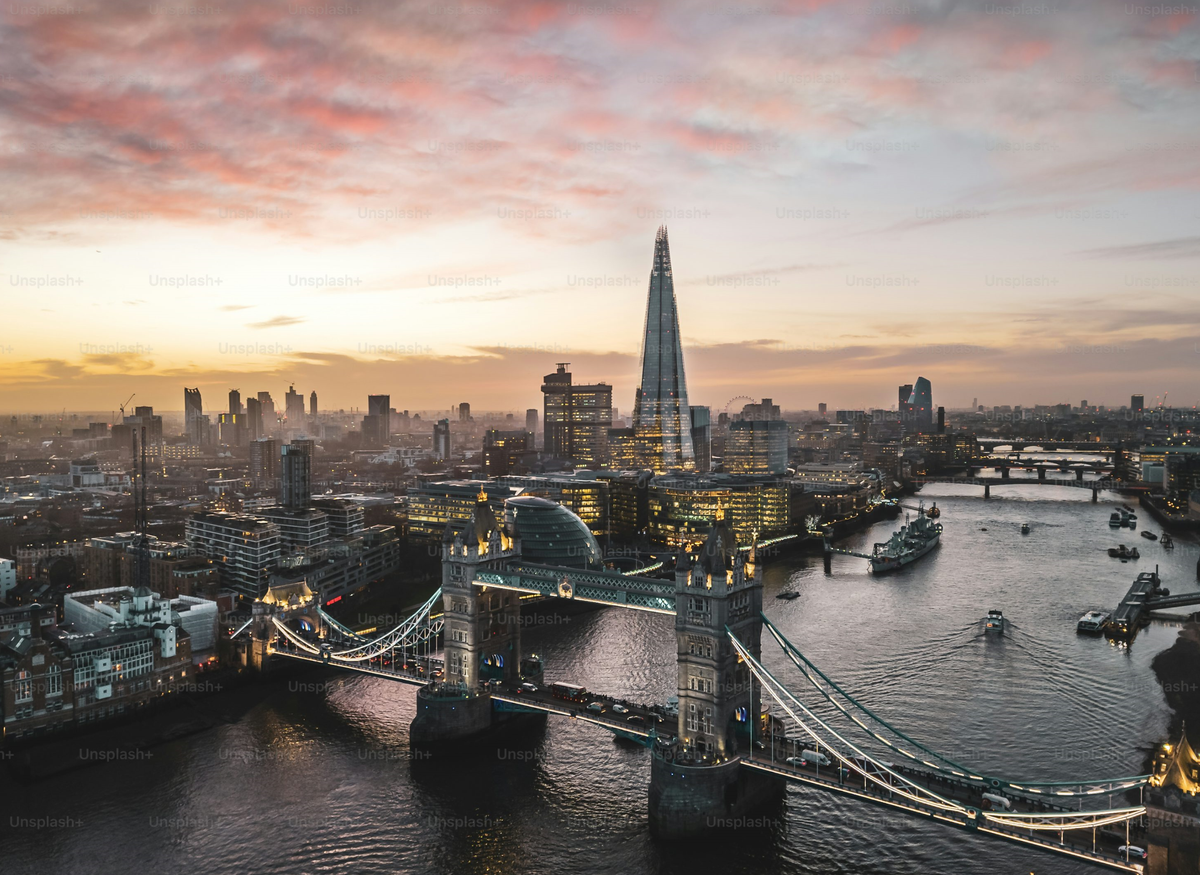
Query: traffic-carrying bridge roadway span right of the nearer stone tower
835	778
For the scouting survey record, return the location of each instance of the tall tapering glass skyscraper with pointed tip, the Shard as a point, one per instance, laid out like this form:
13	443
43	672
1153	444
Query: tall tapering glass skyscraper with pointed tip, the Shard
662	416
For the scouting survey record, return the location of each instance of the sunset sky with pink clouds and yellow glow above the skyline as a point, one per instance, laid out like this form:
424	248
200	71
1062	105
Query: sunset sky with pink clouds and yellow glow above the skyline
440	201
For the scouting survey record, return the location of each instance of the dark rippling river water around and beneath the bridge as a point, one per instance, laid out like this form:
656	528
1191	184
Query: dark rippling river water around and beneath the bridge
319	778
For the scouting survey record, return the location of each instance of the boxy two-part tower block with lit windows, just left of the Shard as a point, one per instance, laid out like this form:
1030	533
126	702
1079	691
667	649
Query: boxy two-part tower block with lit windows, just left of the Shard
577	418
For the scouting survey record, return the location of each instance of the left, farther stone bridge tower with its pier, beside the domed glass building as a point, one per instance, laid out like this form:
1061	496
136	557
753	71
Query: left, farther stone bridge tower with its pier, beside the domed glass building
482	633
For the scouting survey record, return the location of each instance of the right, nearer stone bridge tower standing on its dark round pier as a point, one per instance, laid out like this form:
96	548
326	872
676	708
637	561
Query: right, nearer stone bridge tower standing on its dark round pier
698	783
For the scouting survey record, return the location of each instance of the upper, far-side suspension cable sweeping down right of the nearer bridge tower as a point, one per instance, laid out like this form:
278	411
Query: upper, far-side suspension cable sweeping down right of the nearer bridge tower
1094	787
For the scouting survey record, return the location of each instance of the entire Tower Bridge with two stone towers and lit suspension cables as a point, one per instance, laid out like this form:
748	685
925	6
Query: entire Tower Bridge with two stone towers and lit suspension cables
723	756
